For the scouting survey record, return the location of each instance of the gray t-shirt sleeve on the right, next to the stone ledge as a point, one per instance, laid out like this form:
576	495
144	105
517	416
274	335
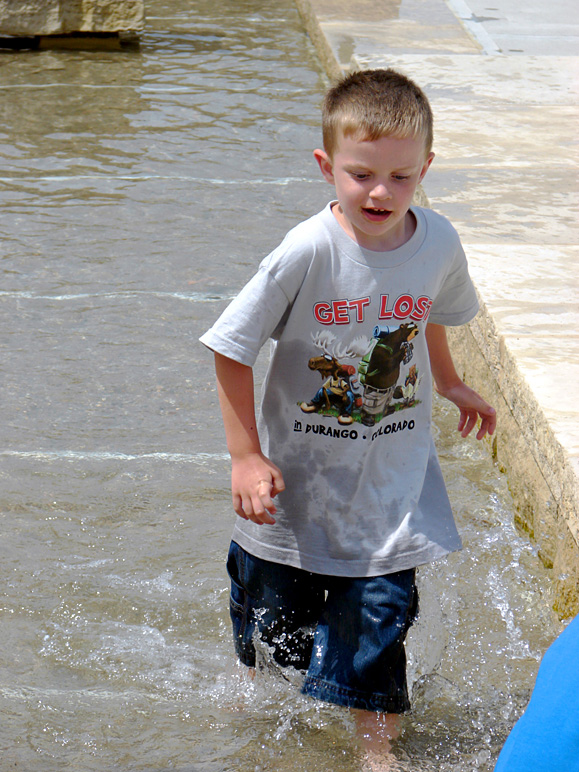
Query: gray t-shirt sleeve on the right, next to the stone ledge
456	301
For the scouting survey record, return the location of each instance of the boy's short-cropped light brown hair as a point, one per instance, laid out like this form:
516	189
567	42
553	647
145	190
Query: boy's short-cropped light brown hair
371	104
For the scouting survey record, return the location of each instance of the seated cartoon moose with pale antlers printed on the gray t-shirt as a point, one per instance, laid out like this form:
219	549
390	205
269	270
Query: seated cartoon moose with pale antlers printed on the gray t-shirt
337	389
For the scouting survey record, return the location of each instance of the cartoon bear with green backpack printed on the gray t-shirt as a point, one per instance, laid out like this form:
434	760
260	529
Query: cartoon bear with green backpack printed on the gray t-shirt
380	368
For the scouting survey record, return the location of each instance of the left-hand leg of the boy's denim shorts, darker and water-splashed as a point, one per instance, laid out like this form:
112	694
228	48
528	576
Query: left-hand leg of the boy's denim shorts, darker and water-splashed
276	603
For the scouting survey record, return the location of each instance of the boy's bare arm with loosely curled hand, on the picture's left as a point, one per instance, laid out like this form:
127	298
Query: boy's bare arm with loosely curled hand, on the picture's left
255	480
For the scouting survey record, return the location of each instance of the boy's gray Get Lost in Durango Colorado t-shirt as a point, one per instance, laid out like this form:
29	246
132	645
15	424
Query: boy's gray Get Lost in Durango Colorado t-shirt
346	402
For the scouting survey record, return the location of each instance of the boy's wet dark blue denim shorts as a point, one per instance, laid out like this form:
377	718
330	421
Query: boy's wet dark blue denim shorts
347	634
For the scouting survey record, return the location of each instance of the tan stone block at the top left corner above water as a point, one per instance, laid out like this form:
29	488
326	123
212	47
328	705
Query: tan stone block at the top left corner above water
30	18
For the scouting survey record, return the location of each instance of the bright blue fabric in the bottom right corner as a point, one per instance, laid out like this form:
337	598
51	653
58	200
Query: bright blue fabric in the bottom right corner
546	737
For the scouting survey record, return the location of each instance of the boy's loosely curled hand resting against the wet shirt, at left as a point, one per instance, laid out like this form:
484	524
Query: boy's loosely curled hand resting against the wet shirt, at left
255	482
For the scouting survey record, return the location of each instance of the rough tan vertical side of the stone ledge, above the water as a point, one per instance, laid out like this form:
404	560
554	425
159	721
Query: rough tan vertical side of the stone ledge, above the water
526	451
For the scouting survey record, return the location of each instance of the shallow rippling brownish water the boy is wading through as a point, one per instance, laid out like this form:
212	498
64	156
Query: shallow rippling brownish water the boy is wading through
138	190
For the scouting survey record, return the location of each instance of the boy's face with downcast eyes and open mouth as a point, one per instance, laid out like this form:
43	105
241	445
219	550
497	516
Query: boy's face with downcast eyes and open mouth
375	181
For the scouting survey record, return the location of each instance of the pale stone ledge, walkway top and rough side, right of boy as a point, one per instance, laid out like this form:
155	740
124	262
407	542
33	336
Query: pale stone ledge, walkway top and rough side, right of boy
536	442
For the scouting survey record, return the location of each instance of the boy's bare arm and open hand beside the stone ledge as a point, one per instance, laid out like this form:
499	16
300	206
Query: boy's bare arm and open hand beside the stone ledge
471	405
